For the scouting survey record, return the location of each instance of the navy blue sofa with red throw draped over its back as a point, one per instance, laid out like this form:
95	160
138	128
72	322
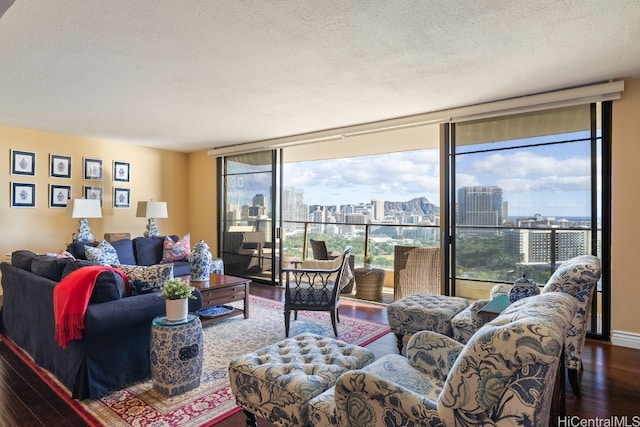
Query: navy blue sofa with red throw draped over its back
114	350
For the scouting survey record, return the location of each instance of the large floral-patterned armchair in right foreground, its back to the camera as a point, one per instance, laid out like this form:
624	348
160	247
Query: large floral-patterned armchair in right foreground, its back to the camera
504	375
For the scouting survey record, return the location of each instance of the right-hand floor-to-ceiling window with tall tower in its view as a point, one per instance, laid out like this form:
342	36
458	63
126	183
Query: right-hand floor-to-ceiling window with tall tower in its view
527	192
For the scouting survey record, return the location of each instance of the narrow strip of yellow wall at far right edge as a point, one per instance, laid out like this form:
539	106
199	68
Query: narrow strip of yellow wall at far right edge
625	234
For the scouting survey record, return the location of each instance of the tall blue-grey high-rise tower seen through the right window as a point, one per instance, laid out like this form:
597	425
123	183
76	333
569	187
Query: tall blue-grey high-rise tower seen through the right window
480	205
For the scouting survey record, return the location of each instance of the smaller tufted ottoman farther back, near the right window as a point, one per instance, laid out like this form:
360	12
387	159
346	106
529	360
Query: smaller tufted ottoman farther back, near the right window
423	312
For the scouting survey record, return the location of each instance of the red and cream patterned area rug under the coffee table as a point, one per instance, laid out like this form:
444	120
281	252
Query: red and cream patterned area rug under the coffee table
140	405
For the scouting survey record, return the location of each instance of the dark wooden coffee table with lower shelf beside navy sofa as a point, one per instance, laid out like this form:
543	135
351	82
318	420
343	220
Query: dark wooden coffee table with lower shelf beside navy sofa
221	289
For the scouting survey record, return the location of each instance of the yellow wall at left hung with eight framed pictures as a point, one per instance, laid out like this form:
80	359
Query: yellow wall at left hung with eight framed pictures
155	174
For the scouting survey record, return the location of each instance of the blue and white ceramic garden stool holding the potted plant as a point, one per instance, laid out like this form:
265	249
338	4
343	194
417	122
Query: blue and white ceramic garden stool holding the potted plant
176	354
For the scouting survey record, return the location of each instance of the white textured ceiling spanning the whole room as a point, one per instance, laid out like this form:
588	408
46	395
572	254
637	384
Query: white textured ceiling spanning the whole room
192	74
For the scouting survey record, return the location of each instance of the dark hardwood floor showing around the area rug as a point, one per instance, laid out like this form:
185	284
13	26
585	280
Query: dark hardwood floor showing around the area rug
610	382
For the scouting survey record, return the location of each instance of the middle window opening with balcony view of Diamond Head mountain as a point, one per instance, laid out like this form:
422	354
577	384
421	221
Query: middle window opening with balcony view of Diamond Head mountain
370	191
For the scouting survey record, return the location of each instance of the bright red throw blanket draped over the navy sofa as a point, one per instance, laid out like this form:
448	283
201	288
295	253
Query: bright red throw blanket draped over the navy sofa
70	299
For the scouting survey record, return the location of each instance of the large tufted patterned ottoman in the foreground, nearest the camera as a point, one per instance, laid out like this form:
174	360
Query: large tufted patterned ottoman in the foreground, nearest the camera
276	382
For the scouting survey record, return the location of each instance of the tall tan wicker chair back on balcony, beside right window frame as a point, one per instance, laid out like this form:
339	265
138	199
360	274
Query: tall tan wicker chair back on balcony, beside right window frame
416	270
